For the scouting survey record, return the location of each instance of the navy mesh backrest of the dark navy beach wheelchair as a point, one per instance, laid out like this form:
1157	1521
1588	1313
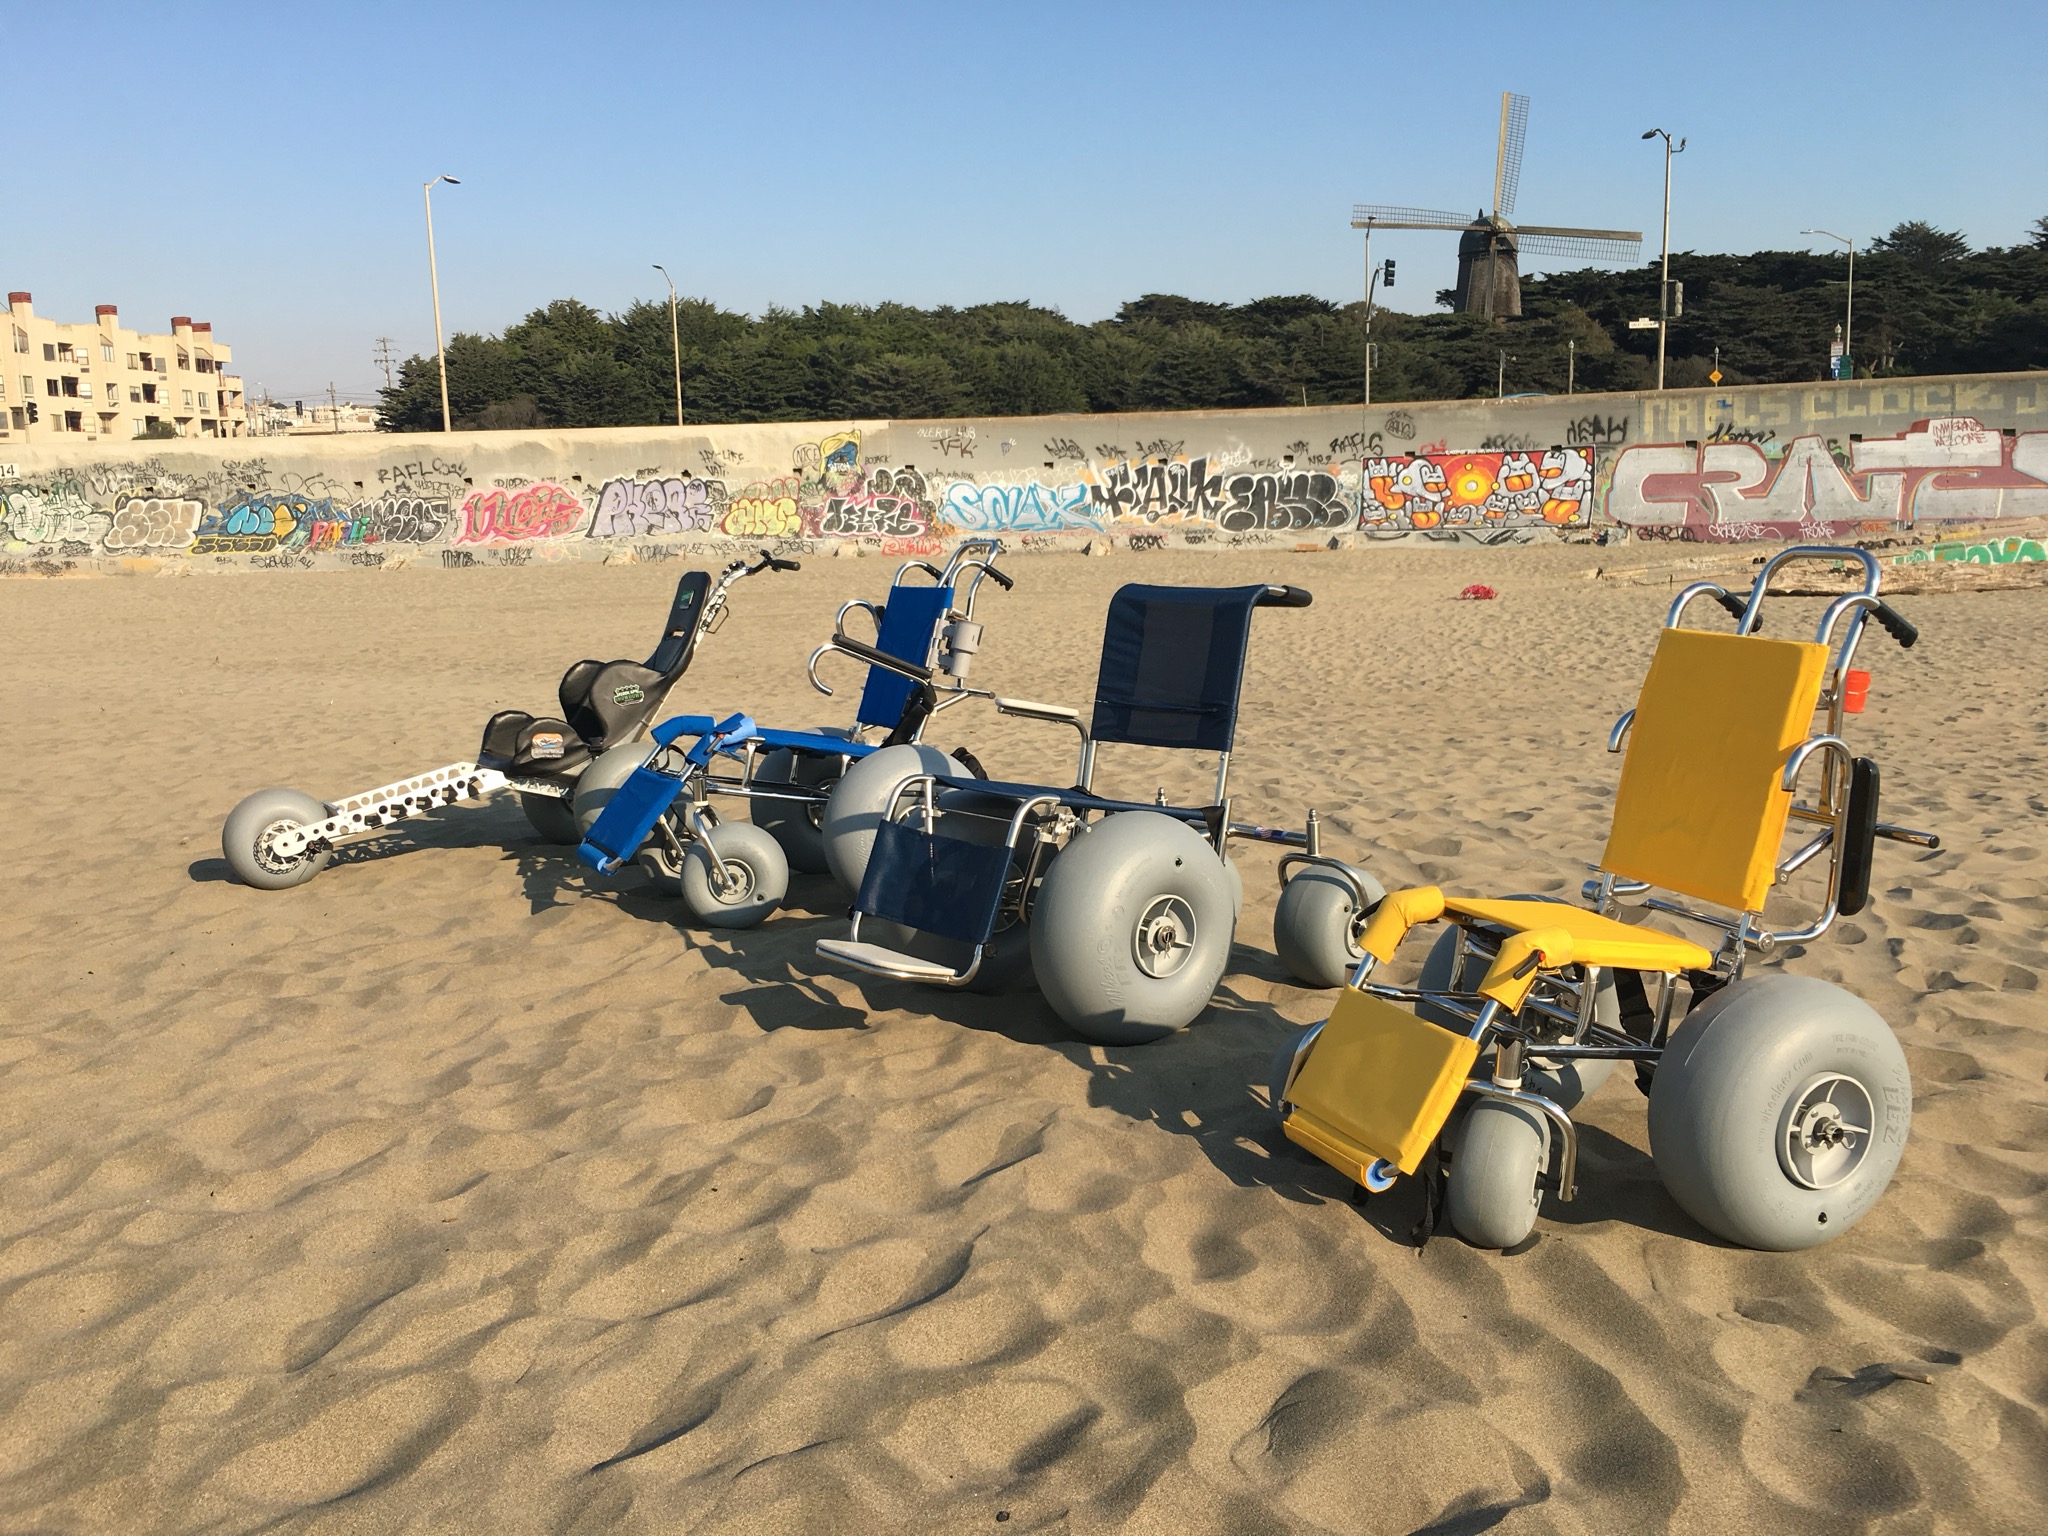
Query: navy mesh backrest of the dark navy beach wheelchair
1172	667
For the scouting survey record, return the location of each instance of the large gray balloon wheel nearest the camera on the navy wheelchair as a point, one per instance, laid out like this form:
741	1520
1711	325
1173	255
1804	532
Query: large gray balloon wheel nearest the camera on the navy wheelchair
1134	929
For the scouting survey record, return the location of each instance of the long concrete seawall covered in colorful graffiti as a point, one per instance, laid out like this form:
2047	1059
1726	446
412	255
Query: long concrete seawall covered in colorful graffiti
1836	460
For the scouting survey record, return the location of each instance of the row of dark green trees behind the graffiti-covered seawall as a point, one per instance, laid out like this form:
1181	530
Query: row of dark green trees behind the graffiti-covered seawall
1924	304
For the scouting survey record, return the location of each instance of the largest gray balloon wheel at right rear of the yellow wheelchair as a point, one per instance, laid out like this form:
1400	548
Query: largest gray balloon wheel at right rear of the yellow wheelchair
1781	1111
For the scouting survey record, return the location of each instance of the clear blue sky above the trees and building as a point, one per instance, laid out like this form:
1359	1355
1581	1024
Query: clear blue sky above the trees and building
261	167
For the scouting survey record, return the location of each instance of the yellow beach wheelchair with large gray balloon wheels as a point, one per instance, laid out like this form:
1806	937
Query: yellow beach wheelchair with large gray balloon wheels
1779	1105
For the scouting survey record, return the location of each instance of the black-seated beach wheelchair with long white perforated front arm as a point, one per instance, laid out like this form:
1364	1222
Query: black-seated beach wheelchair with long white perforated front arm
278	839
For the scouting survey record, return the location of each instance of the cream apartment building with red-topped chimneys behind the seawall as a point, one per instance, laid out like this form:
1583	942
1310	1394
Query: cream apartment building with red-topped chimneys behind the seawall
110	382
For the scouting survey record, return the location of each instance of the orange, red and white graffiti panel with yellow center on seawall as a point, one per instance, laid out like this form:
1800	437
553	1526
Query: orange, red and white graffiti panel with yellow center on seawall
1502	490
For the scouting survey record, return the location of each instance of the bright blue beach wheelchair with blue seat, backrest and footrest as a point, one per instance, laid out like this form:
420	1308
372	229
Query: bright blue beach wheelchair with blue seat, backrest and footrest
652	804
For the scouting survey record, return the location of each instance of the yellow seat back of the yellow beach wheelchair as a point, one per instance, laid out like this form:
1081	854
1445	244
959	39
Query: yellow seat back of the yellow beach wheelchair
1701	810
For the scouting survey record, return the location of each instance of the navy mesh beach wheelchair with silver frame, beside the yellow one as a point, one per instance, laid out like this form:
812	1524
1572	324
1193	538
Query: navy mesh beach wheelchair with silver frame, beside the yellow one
1123	910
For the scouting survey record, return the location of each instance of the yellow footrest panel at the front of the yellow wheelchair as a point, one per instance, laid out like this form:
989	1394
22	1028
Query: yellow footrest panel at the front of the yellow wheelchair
1379	1082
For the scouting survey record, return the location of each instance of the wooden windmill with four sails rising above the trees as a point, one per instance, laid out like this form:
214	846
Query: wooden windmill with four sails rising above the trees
1490	249
